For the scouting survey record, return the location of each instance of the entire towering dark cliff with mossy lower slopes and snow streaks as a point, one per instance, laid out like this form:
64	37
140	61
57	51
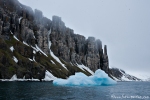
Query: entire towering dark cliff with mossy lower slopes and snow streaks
38	37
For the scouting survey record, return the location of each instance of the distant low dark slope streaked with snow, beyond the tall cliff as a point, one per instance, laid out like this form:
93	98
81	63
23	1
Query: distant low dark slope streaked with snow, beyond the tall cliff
120	75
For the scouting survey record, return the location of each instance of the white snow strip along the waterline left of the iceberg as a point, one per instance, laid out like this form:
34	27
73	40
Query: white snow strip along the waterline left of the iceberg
48	77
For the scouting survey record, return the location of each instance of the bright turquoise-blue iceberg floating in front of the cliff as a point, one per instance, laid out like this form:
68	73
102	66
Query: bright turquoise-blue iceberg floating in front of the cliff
100	78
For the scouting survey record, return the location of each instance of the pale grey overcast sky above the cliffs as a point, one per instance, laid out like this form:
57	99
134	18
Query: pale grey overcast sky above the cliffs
123	25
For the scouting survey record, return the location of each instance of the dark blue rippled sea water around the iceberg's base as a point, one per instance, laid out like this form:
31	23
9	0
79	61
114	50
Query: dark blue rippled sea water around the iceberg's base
48	91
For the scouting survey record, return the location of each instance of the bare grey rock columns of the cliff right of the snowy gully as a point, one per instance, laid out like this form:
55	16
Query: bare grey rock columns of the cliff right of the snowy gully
75	48
